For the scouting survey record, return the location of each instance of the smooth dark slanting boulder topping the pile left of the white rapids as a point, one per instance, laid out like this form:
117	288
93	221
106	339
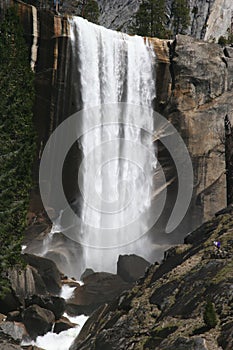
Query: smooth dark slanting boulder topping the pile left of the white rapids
48	271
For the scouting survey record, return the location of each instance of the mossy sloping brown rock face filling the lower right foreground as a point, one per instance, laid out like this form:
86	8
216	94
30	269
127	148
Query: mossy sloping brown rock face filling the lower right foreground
165	308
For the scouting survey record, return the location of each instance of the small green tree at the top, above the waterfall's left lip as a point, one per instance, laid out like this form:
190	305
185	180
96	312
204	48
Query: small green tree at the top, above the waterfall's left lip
89	9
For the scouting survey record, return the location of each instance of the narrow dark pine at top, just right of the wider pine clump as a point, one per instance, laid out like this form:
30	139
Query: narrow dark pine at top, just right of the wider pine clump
180	14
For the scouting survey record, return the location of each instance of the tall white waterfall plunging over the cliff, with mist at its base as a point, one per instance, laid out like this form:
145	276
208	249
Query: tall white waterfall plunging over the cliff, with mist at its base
115	179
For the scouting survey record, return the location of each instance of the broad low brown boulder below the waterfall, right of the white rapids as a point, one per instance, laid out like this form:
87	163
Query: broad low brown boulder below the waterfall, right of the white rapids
98	289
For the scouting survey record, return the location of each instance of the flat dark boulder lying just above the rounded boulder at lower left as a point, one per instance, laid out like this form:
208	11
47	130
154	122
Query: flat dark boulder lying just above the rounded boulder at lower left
52	303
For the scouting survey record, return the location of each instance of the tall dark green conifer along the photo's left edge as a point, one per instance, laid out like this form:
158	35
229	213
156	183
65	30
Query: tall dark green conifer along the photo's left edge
17	141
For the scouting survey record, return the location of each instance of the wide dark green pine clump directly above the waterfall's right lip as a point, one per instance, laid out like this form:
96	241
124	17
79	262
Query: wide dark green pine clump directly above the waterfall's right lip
150	19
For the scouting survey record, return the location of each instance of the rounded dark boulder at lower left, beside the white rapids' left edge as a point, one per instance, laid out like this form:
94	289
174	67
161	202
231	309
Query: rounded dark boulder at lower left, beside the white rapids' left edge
37	320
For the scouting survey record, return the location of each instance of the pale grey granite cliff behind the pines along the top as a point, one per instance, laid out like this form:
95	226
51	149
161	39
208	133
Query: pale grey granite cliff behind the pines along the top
209	19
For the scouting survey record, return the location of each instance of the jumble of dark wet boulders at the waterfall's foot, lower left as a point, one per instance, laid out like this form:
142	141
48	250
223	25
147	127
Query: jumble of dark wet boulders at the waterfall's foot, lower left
34	305
